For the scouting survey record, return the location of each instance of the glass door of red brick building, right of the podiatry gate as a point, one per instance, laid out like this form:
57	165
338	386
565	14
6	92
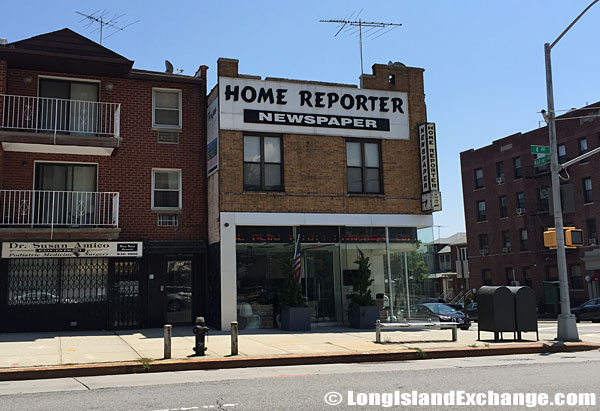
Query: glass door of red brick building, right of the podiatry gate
178	288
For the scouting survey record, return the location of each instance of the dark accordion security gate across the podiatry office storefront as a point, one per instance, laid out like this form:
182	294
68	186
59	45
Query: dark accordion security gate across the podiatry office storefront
51	294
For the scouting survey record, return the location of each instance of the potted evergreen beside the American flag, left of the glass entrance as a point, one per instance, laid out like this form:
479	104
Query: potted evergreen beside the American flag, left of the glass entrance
295	315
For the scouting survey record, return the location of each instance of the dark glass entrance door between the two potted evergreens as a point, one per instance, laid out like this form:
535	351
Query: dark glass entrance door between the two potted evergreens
321	283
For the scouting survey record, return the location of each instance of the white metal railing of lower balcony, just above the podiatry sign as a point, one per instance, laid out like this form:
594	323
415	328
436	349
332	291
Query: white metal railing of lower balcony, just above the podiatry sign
38	208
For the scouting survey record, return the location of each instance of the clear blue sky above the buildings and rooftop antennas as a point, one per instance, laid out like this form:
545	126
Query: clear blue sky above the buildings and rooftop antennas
483	59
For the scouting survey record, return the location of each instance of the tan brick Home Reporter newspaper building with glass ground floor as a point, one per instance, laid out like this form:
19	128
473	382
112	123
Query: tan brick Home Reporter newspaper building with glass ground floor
335	166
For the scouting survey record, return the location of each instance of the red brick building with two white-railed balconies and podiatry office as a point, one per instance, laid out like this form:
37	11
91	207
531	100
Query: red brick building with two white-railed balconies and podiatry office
102	188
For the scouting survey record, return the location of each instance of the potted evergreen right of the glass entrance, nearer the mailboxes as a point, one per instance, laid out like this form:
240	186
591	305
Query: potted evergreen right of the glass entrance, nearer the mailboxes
363	311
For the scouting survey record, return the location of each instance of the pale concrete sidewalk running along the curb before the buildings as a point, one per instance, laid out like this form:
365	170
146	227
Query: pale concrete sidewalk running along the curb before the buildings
113	352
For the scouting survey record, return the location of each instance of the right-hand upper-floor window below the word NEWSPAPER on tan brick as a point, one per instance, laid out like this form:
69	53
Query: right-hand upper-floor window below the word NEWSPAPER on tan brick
363	167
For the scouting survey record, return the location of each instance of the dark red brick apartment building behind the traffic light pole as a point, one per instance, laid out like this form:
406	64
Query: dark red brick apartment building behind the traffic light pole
508	206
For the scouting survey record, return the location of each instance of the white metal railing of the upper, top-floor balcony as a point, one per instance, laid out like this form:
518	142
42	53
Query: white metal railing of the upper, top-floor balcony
60	116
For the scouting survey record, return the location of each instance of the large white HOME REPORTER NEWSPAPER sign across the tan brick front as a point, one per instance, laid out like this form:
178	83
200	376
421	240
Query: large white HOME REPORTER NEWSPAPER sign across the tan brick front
307	108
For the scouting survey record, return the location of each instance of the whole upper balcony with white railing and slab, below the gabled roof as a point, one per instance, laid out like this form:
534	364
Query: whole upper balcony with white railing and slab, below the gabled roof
87	127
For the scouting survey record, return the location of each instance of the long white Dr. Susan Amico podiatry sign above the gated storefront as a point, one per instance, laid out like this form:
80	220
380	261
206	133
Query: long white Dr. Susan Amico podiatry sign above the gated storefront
72	249
